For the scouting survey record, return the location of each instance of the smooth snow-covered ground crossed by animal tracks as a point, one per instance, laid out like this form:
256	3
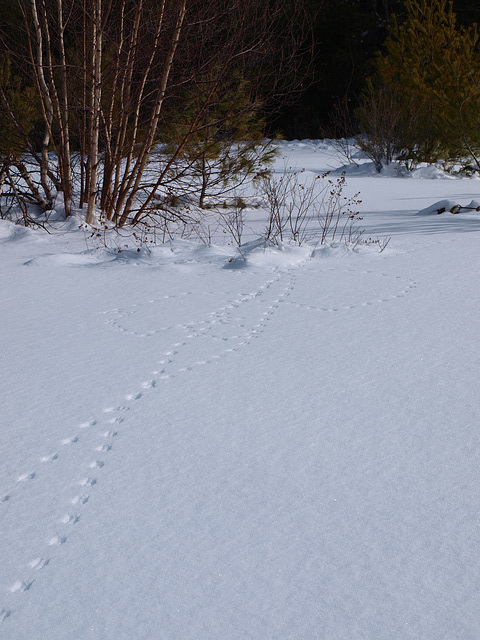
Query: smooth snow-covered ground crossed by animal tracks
282	447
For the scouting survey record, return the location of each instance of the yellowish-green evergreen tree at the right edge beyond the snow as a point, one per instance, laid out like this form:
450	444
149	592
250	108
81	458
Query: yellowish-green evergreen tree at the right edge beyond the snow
432	66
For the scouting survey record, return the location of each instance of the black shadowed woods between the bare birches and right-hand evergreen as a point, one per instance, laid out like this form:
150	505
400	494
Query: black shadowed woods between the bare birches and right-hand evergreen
347	34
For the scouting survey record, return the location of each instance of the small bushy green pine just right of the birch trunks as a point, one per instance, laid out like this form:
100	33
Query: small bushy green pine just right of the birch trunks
224	143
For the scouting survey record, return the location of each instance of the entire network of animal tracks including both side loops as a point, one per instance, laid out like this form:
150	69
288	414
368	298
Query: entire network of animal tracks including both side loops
218	334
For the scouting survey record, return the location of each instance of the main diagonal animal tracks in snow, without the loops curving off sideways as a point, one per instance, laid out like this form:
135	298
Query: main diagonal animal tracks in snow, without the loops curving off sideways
110	423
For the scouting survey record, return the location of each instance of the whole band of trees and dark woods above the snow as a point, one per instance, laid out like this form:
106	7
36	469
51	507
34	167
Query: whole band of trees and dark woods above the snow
123	105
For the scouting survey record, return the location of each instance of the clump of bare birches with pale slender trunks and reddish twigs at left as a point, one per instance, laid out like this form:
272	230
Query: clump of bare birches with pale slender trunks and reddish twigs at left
105	70
